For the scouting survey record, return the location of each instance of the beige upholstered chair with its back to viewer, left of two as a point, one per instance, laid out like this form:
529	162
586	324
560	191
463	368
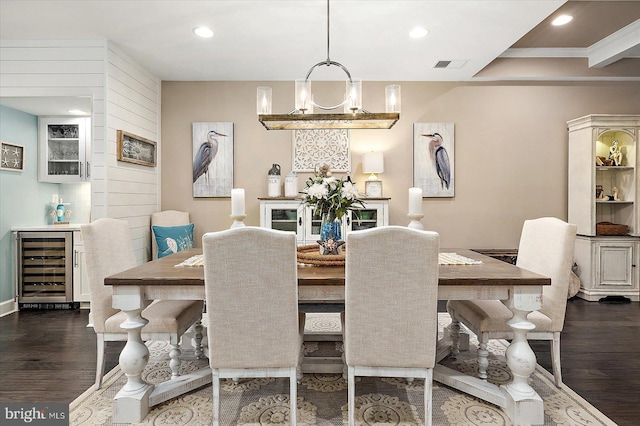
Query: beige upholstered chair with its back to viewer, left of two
254	328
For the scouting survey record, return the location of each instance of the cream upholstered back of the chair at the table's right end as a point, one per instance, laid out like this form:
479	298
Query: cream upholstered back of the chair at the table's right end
546	247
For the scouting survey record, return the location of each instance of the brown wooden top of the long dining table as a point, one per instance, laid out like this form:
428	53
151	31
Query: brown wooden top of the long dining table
490	272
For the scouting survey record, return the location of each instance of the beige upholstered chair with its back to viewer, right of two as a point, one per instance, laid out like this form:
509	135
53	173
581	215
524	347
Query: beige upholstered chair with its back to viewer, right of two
390	318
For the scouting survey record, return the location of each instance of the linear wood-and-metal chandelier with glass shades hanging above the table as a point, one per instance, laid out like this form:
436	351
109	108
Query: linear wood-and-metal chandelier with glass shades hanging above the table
353	116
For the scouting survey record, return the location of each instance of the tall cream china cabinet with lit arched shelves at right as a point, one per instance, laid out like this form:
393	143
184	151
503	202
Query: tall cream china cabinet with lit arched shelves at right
603	187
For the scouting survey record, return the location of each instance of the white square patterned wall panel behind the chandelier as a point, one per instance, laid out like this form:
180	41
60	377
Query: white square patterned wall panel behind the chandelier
313	148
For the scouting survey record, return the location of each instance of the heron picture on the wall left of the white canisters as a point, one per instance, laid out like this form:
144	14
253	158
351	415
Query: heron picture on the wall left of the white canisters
212	159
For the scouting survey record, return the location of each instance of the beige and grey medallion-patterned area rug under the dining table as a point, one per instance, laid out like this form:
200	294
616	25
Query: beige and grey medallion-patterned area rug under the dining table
322	398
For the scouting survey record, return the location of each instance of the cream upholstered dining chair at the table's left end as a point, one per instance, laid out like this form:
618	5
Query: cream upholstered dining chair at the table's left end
108	250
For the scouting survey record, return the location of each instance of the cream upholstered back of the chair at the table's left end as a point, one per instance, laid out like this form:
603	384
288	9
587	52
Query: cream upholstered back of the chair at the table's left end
108	249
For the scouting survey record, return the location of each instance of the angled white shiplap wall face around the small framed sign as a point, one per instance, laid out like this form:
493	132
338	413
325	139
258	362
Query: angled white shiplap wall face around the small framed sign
133	105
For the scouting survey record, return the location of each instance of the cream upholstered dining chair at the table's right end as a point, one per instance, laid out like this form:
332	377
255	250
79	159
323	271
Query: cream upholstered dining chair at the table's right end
546	247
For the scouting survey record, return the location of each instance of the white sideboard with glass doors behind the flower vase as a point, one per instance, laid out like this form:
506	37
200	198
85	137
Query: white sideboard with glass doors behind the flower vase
288	214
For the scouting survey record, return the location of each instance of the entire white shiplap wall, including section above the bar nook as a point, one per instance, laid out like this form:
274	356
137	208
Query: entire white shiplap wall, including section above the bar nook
124	97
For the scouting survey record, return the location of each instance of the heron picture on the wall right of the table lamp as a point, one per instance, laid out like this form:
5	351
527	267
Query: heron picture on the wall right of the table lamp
433	159
